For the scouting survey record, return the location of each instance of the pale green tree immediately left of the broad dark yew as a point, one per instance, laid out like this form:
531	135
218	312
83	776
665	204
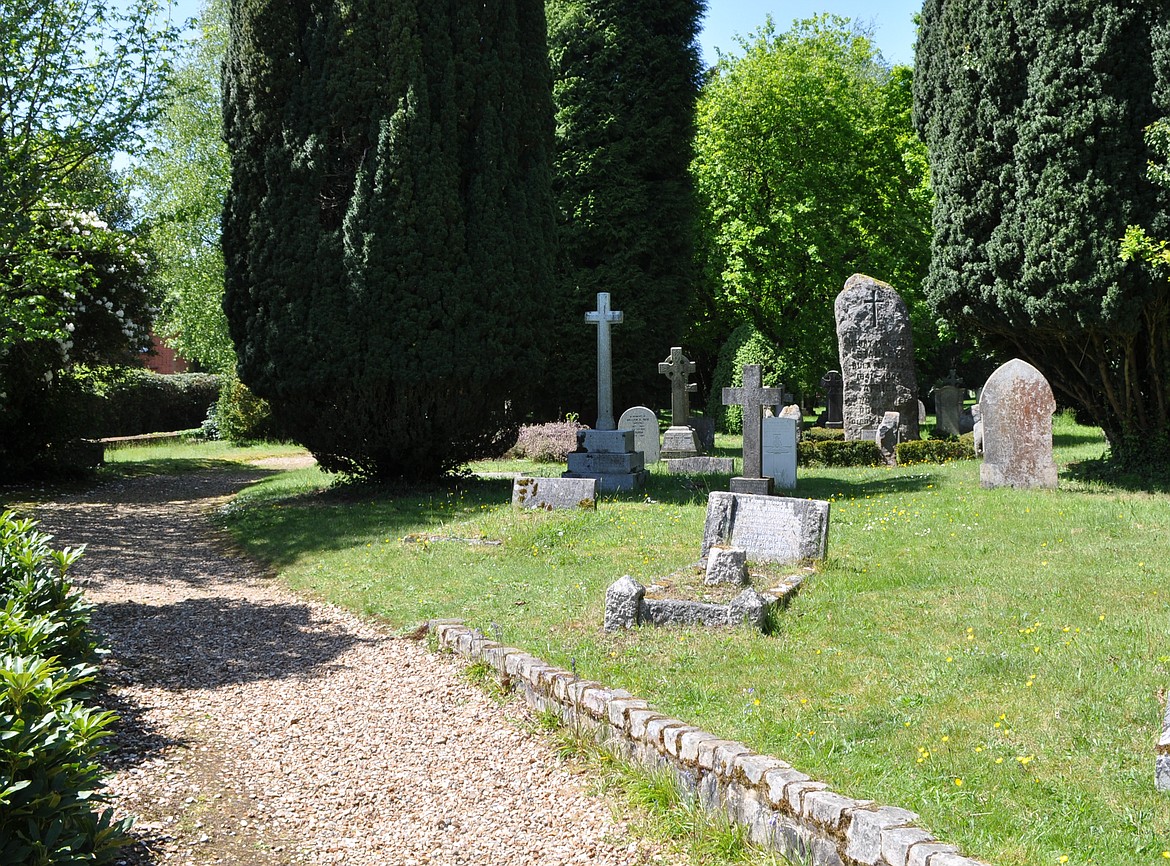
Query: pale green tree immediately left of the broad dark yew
183	181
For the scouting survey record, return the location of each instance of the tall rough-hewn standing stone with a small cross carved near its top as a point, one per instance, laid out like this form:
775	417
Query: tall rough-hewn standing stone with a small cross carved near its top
877	348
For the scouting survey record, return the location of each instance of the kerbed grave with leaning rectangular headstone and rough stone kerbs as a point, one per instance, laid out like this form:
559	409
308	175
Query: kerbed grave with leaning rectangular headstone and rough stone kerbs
773	531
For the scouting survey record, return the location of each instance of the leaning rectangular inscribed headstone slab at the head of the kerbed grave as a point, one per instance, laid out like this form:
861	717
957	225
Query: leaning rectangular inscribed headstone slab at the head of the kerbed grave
770	528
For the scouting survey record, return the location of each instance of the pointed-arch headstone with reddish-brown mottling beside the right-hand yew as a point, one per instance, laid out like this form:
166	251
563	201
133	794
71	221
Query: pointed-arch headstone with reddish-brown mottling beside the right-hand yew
1017	407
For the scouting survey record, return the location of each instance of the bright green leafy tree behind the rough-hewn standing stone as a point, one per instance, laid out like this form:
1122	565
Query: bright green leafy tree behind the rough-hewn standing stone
810	171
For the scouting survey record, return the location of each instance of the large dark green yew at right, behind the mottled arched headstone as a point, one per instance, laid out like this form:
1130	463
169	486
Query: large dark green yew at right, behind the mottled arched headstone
1034	112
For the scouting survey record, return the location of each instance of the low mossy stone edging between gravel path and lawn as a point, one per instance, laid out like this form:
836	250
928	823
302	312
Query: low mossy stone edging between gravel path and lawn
782	808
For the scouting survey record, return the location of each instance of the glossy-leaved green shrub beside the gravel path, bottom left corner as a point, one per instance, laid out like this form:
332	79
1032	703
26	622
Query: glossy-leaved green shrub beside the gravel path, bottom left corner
50	738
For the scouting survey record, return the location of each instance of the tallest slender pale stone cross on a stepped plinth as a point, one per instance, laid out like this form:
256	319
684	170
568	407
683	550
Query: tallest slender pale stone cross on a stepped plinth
605	453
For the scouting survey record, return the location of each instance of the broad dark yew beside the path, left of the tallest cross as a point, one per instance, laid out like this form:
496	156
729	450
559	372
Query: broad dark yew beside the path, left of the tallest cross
389	230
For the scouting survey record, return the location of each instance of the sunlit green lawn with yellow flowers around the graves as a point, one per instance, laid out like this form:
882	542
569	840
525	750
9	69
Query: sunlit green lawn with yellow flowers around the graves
992	659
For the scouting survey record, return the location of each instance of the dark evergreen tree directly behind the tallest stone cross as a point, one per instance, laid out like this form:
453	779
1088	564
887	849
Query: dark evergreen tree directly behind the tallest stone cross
627	77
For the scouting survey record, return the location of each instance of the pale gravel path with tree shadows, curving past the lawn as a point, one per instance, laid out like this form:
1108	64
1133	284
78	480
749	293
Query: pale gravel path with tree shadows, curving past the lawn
264	728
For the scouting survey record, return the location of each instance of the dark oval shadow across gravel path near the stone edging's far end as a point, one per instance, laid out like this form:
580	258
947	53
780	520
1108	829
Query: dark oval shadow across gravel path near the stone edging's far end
210	643
